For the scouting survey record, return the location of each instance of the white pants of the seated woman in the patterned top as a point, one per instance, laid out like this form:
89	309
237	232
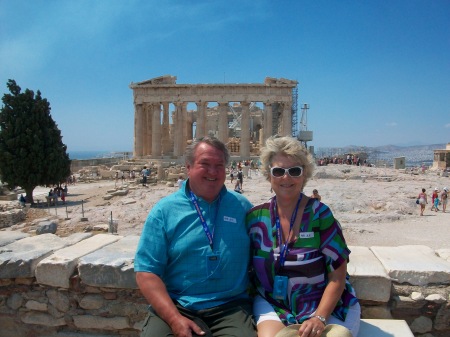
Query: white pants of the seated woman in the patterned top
263	311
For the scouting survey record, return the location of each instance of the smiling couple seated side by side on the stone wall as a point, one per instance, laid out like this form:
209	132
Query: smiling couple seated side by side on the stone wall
210	263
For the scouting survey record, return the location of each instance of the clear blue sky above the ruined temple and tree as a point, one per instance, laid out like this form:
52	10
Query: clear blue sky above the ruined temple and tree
373	72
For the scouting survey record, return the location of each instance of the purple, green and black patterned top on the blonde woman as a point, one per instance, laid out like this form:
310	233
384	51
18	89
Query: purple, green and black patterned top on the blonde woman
319	249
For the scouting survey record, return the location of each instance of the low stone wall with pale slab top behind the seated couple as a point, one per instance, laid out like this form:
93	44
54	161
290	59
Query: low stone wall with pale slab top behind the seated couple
56	286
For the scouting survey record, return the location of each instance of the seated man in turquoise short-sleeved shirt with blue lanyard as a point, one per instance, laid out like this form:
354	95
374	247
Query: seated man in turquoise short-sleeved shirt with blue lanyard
192	259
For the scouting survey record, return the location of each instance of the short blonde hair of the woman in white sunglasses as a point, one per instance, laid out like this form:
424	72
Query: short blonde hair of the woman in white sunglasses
289	147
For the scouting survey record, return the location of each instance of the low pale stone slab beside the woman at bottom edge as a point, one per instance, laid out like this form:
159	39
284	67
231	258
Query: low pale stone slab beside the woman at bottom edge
384	328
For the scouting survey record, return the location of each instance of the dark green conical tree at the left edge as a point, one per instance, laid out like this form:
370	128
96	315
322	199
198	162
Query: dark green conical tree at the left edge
31	149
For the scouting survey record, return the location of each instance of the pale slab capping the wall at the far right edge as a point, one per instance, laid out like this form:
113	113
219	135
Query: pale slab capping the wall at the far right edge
413	264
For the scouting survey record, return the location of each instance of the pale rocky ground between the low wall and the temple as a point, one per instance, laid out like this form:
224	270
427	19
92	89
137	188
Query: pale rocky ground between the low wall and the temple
379	211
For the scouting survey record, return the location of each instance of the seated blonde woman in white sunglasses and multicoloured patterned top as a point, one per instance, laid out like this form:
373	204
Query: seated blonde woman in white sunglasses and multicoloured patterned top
299	253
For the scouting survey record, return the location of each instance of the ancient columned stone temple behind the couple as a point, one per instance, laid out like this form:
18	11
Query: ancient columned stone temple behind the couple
241	115
